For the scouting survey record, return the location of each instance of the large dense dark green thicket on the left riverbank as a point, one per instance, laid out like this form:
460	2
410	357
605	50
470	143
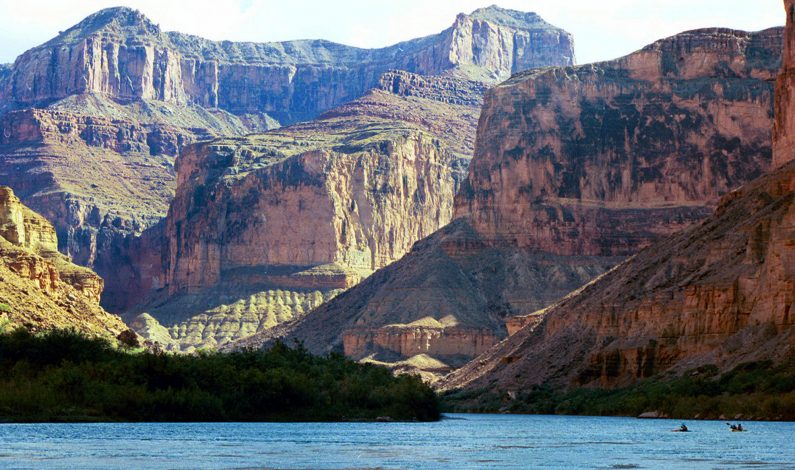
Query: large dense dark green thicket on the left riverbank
63	376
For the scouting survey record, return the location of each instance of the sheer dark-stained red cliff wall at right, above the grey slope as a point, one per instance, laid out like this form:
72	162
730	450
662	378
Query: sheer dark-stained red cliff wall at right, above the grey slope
603	159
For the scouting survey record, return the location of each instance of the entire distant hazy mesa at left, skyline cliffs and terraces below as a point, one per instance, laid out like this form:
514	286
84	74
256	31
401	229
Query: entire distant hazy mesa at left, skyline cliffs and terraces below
92	121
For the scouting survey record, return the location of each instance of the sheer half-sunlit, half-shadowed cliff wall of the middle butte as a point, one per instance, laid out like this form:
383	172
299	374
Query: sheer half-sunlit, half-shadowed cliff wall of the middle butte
359	203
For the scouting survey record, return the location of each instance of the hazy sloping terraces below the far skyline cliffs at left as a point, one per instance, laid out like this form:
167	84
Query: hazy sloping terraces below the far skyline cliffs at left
113	176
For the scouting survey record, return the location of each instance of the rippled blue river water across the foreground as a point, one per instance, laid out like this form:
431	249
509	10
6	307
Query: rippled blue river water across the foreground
458	441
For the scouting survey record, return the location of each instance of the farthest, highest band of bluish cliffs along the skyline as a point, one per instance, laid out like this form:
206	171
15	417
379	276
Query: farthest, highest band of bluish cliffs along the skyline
120	54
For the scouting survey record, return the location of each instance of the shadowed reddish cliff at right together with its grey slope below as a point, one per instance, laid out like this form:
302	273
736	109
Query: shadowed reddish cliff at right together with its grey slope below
575	168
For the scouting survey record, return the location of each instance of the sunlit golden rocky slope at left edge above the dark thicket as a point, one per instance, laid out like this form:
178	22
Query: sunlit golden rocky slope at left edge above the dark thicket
40	288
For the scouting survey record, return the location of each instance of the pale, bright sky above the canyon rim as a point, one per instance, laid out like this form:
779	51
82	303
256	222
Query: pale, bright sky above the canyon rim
602	29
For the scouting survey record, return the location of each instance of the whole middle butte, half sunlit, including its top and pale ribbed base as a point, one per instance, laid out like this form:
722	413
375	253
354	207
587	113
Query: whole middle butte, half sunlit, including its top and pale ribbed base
302	213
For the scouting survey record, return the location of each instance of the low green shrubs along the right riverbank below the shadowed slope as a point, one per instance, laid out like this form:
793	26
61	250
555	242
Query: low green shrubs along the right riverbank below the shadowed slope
757	390
